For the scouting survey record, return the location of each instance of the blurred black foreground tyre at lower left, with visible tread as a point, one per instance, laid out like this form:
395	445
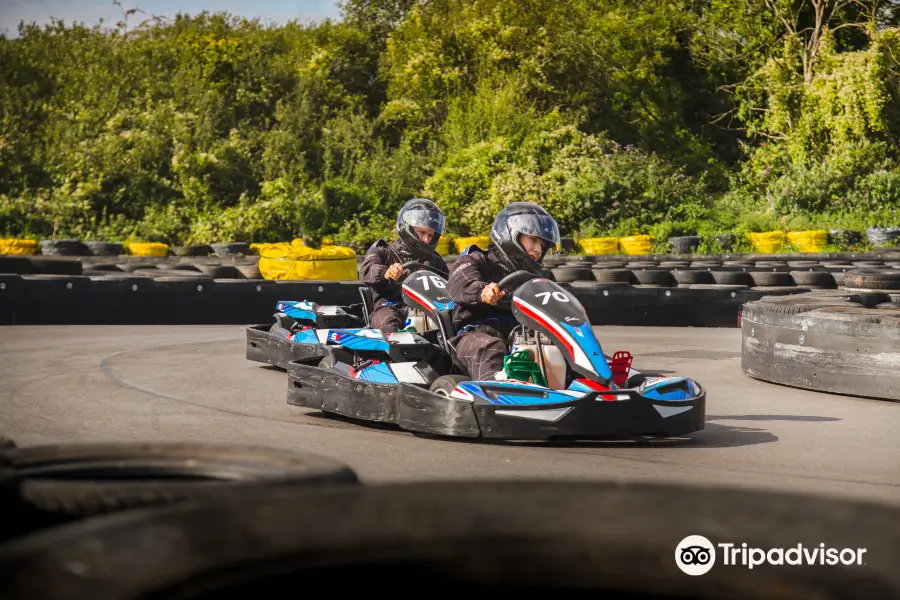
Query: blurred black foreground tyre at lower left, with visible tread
44	486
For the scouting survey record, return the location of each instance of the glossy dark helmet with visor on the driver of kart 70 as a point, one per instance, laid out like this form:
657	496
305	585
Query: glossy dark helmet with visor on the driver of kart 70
523	218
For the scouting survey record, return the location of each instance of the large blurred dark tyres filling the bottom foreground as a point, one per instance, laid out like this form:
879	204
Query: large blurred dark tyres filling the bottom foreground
191	521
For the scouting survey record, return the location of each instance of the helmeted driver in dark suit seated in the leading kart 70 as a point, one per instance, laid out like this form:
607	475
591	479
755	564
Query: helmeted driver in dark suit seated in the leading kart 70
521	236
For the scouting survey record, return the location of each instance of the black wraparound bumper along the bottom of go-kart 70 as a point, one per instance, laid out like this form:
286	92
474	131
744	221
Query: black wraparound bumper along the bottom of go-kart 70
592	416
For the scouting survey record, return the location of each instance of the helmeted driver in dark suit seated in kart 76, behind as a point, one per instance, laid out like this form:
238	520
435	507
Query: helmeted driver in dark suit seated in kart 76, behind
420	224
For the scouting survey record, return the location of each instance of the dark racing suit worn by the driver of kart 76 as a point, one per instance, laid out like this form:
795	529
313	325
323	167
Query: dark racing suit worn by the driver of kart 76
389	314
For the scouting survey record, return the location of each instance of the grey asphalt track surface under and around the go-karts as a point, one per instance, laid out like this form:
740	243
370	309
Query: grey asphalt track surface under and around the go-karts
120	383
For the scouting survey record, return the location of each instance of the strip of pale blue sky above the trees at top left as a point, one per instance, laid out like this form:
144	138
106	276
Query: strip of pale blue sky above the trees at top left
90	12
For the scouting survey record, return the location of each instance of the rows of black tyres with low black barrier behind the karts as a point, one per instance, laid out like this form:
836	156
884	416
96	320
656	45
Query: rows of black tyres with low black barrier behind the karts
706	291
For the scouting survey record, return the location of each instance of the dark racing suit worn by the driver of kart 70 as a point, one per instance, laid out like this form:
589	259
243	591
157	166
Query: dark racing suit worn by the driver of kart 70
482	329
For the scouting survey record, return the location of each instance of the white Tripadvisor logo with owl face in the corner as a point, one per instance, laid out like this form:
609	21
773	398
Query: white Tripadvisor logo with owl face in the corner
696	555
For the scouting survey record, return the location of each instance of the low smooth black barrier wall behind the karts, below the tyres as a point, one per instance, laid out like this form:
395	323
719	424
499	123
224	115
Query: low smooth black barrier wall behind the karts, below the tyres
133	299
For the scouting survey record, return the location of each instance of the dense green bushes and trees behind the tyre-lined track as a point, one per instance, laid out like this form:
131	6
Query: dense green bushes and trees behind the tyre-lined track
668	118
